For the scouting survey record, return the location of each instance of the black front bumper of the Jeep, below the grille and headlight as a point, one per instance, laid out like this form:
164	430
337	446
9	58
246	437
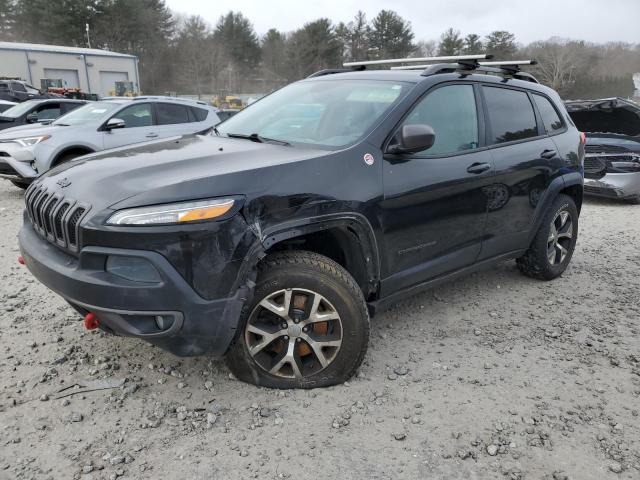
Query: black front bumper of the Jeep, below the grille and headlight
129	308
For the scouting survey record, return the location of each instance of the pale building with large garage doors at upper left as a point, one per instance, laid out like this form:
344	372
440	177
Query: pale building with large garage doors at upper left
92	70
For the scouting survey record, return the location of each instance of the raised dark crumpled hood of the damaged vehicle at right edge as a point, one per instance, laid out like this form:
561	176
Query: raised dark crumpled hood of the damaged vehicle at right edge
606	115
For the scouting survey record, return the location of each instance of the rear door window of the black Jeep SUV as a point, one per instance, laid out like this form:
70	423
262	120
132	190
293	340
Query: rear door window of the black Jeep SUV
510	115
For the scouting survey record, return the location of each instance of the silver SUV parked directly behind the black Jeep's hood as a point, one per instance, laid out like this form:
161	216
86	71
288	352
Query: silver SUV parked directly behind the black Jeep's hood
30	150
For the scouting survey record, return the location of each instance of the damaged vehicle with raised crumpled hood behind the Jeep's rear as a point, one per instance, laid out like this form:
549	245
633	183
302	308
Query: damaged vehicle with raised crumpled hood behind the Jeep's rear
612	160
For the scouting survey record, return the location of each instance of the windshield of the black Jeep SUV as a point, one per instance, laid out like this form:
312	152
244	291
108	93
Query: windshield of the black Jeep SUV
329	114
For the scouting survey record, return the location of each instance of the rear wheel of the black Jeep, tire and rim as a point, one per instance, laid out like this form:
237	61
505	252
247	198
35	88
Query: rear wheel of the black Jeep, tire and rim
552	247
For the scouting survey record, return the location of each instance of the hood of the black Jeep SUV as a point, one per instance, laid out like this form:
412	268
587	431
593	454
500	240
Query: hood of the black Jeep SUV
186	168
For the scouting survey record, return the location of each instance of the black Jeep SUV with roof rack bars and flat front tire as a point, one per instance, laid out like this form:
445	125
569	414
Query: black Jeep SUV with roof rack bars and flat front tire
274	240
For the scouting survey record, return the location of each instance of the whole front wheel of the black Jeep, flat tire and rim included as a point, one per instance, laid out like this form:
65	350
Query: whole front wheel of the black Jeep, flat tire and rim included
306	327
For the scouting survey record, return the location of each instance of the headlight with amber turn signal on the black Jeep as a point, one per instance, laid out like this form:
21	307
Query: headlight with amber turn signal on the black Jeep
172	213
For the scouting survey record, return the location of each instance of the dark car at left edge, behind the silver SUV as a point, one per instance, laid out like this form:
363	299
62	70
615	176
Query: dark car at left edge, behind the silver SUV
37	111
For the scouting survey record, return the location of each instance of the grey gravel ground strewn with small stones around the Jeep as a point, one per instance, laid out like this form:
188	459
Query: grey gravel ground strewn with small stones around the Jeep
493	376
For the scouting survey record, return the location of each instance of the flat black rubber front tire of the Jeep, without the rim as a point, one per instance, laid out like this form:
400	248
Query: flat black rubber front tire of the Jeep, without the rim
352	311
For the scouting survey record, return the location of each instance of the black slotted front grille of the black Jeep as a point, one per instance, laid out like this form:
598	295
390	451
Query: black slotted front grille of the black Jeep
55	217
